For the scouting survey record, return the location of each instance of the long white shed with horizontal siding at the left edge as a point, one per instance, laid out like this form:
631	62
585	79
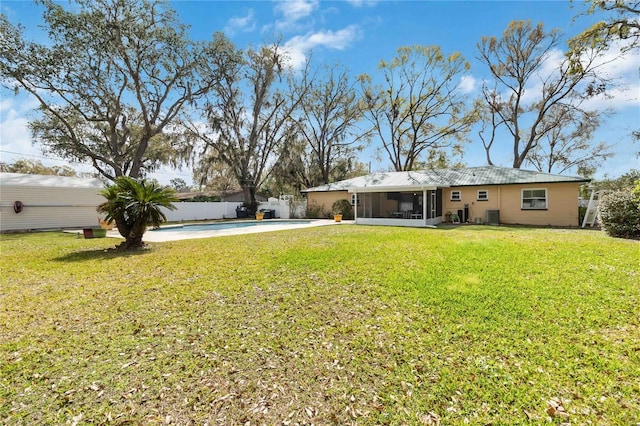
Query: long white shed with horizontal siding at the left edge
30	202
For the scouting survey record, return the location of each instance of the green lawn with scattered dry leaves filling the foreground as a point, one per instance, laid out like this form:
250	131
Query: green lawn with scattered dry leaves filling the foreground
330	325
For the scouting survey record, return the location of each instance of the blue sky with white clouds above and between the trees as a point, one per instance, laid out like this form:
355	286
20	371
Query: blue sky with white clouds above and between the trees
358	34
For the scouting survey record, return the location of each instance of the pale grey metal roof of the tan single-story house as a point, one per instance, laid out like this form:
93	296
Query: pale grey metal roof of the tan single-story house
439	178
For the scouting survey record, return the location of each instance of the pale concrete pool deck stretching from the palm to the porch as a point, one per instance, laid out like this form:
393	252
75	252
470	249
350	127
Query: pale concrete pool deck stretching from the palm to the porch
159	237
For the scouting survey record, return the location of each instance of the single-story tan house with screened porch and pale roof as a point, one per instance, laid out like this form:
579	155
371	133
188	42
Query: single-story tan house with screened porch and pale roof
487	194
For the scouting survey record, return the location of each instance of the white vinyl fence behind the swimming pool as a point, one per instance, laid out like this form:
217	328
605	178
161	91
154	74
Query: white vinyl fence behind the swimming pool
187	211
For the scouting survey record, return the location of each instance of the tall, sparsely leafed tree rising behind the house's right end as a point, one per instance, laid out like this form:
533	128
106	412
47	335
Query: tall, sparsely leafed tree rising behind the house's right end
532	102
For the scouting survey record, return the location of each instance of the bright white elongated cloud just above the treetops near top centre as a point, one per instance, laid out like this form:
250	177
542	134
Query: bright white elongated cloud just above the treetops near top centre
298	46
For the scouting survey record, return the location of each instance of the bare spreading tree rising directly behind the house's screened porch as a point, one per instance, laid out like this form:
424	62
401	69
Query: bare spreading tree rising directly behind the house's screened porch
418	107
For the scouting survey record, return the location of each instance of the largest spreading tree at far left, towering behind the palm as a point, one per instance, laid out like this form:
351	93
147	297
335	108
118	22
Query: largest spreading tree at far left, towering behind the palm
112	78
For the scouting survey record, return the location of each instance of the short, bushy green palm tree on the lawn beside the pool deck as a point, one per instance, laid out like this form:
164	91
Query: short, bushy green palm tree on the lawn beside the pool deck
134	205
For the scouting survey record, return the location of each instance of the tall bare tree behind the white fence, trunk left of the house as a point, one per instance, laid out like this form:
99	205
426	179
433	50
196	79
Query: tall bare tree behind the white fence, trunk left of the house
250	115
